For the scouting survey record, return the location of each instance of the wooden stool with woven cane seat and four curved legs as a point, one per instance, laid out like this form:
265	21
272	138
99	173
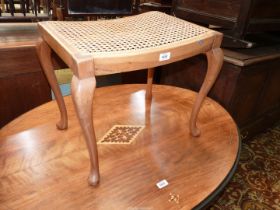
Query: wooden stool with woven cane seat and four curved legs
144	41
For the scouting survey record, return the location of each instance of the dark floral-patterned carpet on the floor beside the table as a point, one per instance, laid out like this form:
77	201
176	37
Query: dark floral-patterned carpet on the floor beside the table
256	183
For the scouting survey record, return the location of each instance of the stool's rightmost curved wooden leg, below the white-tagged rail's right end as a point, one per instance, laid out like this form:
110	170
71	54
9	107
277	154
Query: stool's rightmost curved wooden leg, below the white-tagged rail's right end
215	60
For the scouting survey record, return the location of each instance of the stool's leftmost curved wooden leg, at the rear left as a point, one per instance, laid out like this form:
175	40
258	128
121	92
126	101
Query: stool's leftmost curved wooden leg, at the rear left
44	54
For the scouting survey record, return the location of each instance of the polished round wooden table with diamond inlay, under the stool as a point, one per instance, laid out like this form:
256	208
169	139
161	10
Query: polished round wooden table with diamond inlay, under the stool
44	168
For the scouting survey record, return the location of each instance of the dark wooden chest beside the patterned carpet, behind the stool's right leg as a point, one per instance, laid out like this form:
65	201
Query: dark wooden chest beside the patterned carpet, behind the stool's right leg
248	85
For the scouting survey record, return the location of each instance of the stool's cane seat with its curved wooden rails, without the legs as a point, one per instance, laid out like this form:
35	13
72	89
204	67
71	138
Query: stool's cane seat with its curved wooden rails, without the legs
129	43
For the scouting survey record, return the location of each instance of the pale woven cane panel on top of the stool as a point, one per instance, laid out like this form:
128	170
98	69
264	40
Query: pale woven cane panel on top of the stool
124	35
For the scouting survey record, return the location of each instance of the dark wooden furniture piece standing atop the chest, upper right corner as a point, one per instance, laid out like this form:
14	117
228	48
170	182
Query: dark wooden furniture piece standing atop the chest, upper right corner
237	18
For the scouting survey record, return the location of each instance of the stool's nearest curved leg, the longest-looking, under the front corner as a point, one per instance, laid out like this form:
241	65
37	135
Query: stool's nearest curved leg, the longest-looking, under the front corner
82	95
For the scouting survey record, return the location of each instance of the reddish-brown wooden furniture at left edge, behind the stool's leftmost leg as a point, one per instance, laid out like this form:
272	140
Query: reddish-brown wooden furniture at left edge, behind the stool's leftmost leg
23	85
